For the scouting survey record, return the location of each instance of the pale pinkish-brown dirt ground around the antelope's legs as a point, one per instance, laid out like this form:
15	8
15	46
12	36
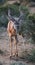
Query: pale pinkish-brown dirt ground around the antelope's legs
5	49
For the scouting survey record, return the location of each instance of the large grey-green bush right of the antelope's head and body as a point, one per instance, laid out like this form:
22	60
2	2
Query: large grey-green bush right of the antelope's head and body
28	24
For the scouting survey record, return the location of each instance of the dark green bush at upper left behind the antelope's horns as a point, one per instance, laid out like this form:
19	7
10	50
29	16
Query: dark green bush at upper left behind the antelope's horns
14	9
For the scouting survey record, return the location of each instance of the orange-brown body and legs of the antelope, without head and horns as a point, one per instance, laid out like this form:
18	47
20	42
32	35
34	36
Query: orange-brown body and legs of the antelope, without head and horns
12	32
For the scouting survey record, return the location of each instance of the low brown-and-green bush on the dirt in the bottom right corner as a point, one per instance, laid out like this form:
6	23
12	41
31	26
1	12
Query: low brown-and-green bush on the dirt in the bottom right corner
28	55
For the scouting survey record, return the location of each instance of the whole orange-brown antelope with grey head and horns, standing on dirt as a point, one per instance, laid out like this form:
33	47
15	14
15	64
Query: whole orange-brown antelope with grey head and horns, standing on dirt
12	32
